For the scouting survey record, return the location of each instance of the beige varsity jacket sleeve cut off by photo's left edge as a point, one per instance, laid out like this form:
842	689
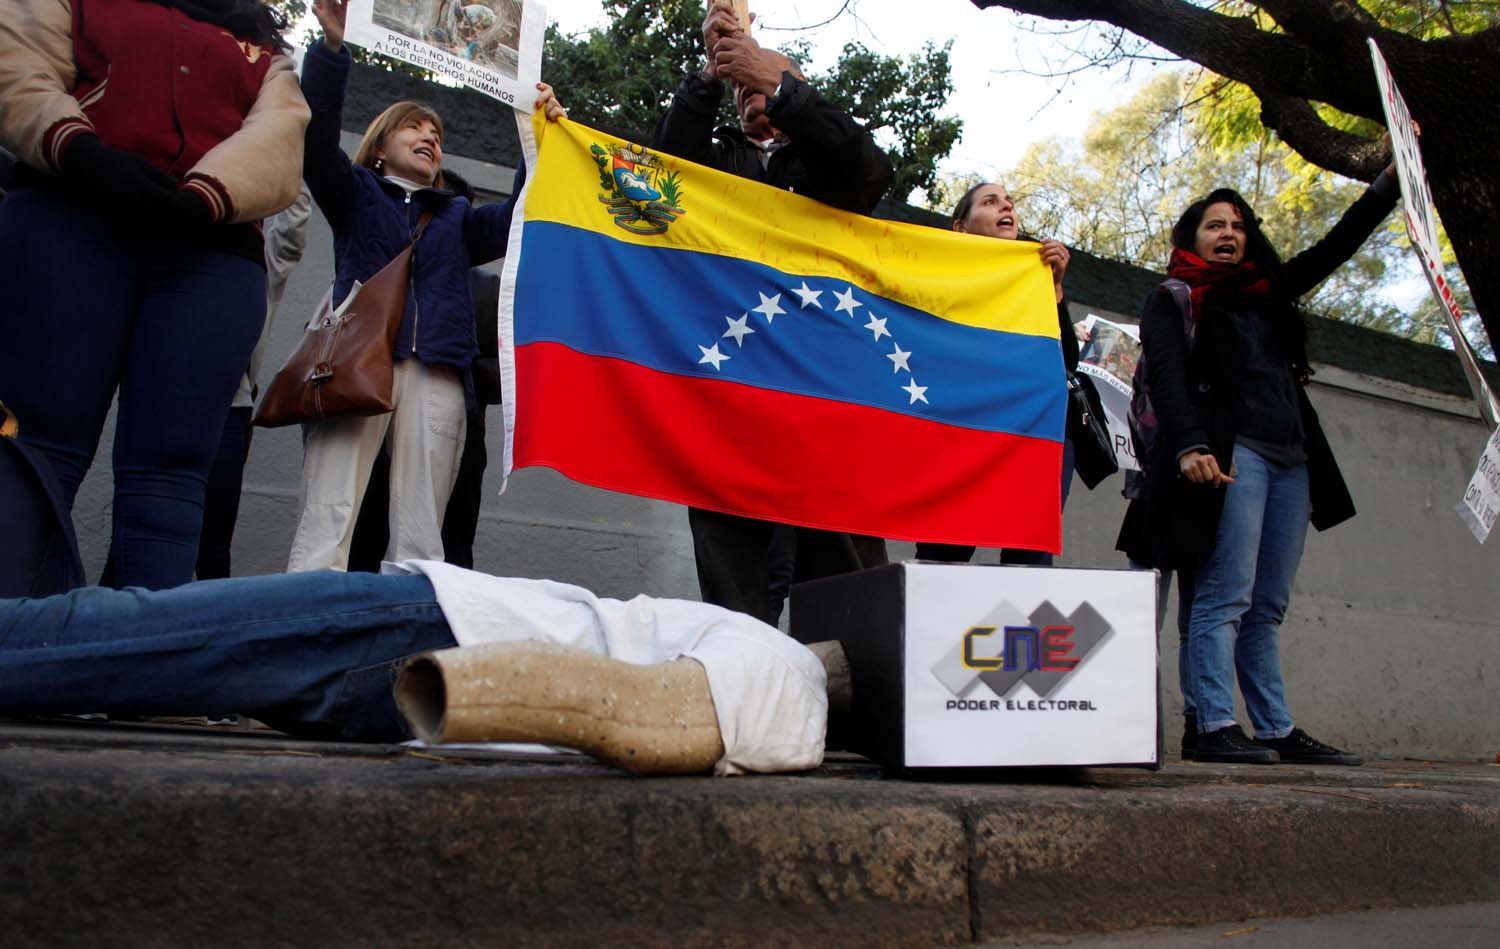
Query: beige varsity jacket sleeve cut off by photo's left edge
38	113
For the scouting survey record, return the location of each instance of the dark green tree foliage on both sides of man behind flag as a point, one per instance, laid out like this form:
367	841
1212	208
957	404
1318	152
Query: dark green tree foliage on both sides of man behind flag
622	77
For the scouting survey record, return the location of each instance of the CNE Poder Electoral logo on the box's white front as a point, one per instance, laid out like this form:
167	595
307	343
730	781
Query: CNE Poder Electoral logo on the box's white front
1042	648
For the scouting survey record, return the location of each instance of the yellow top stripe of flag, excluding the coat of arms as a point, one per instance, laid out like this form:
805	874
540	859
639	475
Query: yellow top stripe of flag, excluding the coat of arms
976	281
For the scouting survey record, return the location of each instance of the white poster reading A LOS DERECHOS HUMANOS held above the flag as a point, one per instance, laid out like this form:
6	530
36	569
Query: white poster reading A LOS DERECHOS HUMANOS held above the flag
490	46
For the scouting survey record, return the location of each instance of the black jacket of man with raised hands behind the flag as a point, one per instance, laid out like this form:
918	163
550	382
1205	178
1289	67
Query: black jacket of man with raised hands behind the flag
829	157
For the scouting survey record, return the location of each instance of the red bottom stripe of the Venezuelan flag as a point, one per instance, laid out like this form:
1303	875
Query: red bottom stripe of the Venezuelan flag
779	457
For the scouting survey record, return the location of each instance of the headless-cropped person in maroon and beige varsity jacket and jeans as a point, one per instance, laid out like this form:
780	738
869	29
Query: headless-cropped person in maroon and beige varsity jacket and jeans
152	140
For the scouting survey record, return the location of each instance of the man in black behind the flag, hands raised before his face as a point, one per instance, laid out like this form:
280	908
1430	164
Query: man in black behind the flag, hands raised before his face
790	137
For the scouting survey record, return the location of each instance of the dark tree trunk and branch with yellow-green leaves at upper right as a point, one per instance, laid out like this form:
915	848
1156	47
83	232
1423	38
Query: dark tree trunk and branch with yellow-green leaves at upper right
1307	70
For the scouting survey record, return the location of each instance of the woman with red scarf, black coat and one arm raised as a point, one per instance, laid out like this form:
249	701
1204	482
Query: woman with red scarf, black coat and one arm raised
1240	464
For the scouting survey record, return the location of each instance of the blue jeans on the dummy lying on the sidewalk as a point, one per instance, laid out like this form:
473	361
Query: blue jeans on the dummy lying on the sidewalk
313	654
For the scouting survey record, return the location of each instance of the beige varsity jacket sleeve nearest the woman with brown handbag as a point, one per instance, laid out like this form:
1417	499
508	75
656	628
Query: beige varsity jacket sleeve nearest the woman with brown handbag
257	172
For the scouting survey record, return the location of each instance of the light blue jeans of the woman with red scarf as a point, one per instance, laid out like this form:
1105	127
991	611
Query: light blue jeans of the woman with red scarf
1243	593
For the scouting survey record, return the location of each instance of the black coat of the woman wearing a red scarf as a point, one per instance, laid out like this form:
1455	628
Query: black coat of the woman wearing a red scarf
1198	403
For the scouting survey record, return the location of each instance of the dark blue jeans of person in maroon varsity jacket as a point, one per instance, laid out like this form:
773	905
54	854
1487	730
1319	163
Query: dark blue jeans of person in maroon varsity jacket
86	311
